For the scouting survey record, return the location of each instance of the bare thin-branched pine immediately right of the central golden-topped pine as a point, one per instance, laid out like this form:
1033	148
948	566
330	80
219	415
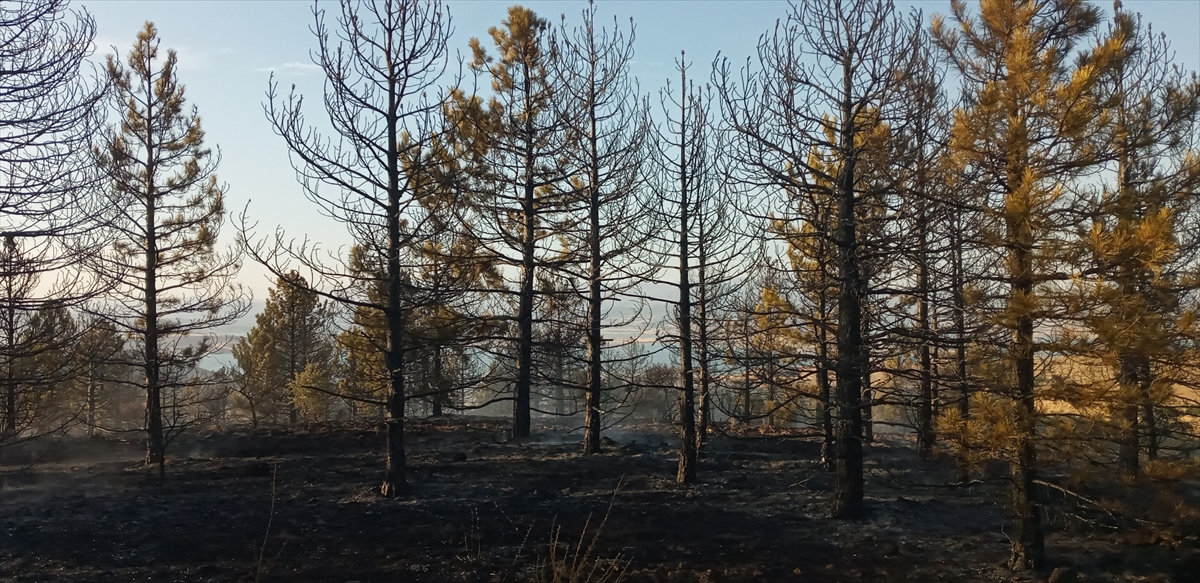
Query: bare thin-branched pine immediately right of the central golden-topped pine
610	127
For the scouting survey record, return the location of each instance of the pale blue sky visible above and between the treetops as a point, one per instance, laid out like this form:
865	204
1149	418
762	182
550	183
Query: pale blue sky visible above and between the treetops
230	49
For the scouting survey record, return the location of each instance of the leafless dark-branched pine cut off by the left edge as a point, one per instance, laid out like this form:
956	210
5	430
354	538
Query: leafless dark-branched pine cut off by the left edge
50	110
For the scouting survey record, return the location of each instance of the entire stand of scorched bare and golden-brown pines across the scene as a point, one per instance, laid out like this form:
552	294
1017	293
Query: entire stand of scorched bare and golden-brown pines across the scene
824	238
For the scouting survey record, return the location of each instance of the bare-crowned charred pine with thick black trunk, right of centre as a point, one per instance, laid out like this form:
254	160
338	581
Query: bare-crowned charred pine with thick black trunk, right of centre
789	109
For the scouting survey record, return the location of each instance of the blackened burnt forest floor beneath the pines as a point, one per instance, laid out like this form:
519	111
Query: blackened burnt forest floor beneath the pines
280	507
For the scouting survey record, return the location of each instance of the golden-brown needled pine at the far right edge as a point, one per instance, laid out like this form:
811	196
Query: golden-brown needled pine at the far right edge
1138	242
